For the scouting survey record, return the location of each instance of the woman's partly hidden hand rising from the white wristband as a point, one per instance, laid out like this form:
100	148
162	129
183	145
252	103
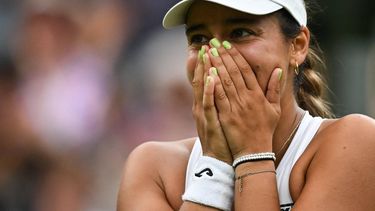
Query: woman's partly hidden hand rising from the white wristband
205	114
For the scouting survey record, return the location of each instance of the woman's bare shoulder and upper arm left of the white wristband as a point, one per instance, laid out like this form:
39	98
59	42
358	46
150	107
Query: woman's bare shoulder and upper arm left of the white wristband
155	171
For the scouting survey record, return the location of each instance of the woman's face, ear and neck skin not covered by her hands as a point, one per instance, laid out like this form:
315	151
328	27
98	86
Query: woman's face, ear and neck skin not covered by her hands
260	42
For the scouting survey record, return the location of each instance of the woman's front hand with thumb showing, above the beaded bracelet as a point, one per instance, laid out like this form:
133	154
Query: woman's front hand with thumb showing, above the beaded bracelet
247	115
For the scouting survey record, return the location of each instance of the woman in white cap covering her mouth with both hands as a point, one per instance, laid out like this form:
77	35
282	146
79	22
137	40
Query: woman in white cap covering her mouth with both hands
256	90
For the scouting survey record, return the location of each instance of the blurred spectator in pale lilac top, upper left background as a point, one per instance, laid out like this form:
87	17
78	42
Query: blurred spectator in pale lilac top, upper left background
67	73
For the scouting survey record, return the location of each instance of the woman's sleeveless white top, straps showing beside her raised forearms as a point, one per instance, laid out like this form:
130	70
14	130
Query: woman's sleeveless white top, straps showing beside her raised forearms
308	128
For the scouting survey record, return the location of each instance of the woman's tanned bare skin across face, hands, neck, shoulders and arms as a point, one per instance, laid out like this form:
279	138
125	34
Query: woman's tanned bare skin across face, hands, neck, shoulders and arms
330	175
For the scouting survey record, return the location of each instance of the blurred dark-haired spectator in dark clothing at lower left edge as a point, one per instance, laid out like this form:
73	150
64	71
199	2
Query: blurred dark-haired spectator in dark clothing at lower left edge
28	171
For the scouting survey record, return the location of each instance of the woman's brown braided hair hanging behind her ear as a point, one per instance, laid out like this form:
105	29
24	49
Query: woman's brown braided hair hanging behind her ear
310	86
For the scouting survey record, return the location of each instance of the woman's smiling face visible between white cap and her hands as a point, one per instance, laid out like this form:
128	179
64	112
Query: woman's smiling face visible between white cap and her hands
257	38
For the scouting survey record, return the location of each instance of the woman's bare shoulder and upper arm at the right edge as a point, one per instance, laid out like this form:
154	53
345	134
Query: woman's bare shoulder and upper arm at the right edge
341	175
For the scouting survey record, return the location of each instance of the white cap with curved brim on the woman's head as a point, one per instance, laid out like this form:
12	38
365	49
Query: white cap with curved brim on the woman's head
177	14
